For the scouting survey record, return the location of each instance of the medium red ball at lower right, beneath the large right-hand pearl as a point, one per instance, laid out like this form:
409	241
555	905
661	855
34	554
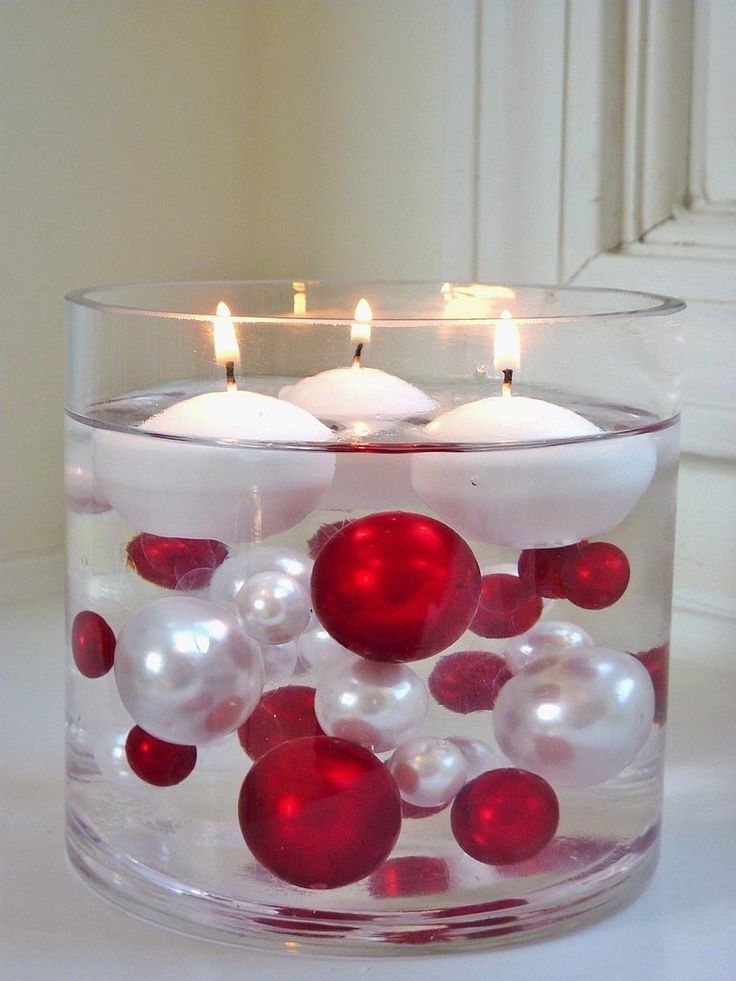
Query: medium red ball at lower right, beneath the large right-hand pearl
504	816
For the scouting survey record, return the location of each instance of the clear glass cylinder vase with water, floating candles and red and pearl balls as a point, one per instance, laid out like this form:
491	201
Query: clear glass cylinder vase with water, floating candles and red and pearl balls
368	606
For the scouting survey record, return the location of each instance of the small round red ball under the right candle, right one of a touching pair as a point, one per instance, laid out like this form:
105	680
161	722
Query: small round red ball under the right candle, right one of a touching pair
596	575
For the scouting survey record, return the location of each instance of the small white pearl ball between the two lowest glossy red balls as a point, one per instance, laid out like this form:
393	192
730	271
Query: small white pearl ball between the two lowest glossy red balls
428	771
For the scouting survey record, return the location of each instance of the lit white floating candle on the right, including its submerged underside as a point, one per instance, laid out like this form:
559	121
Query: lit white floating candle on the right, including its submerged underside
533	497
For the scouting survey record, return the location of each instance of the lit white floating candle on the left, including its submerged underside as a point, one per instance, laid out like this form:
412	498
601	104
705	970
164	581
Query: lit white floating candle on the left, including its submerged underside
173	487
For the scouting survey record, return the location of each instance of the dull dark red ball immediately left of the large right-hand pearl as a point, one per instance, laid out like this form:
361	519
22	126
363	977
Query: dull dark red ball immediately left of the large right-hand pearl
468	681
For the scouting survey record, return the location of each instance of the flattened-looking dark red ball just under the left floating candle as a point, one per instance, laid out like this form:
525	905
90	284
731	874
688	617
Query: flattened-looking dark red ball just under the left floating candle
175	563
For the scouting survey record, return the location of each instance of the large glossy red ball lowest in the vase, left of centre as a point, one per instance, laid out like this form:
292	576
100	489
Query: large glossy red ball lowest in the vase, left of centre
320	812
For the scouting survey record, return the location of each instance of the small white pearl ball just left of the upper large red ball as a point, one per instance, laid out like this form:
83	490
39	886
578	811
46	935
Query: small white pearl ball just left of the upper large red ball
272	608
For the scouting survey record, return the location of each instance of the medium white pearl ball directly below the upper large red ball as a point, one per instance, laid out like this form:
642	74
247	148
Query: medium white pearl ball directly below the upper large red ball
375	704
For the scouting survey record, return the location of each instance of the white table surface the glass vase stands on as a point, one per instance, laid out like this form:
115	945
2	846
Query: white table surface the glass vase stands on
53	927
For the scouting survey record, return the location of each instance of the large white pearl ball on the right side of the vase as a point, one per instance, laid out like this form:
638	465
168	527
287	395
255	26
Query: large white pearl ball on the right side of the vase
577	719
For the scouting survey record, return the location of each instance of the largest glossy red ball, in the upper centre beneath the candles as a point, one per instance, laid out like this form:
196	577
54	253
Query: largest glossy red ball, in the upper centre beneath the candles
395	586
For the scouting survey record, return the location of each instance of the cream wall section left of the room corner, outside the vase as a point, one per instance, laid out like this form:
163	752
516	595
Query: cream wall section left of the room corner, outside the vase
125	138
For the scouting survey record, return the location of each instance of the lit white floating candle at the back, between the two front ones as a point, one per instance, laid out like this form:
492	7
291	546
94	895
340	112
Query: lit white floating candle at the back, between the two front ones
359	394
